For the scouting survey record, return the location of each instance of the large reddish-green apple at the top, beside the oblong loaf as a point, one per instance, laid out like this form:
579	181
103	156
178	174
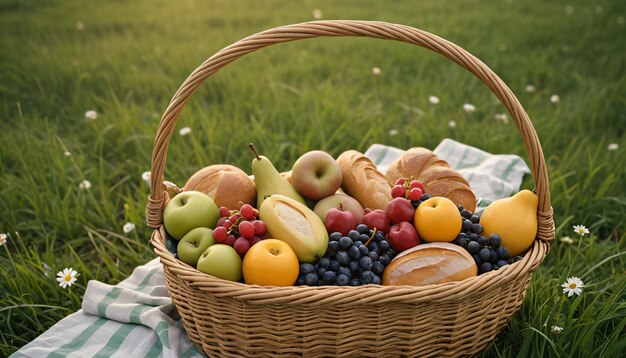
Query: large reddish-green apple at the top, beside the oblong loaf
316	175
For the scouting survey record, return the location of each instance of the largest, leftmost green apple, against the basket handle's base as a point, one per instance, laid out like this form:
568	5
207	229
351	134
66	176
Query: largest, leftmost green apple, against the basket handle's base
189	210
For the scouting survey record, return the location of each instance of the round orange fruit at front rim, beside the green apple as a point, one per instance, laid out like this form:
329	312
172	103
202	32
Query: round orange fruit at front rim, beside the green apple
270	262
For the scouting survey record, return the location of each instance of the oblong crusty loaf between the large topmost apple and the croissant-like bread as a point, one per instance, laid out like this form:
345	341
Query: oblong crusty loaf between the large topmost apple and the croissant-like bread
362	181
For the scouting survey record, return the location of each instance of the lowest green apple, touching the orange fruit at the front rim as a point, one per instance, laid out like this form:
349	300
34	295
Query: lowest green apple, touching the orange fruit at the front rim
221	261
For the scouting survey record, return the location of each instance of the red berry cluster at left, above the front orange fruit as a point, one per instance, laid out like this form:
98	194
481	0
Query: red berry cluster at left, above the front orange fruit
240	228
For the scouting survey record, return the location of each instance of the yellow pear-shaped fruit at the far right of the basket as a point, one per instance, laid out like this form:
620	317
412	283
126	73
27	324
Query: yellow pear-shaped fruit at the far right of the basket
514	219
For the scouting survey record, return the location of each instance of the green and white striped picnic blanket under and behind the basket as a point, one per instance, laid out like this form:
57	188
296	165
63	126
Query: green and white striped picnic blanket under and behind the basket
136	318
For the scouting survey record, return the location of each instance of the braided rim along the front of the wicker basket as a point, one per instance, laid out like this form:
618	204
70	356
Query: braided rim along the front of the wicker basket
318	295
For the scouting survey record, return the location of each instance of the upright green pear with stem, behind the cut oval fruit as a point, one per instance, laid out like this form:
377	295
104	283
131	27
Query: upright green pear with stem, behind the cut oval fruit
269	181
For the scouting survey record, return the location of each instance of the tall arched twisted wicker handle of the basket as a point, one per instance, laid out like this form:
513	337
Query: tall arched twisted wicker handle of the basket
374	29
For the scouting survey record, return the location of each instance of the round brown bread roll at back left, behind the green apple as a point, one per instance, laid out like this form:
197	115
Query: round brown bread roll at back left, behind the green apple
227	185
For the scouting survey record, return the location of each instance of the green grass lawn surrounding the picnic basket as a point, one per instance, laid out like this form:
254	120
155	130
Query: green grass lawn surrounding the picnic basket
130	57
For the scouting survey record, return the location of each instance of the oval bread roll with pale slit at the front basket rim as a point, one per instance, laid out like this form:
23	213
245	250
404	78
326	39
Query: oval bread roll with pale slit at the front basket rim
429	264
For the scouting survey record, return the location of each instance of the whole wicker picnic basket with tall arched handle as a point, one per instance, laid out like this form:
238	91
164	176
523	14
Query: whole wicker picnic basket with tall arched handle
225	318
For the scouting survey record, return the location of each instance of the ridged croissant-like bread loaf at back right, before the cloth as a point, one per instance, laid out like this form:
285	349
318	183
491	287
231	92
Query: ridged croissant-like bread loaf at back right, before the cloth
438	178
